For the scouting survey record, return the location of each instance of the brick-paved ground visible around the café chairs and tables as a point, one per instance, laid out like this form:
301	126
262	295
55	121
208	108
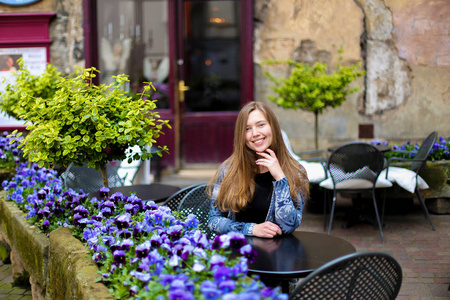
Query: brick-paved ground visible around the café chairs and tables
423	254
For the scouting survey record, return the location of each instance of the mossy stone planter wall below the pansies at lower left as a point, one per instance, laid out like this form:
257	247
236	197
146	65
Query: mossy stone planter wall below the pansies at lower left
58	266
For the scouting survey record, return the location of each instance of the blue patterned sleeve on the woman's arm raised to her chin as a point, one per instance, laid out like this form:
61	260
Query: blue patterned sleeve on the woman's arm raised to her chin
285	214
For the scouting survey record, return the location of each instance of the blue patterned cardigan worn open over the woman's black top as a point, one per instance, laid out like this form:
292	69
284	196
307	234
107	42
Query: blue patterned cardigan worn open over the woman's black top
282	211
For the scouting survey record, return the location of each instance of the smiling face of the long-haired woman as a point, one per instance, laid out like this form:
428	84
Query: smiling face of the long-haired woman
258	134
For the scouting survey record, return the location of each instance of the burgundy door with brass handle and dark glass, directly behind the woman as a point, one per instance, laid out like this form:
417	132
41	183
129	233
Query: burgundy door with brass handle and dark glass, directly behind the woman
215	76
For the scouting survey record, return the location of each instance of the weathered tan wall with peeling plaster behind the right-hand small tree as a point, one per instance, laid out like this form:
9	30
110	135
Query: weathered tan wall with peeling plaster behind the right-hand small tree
403	45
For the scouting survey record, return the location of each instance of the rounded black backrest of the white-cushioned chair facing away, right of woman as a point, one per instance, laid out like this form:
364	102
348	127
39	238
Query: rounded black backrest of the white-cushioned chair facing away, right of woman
355	161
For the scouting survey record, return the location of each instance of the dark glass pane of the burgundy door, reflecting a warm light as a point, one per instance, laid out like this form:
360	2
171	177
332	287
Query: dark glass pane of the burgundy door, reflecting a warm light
212	56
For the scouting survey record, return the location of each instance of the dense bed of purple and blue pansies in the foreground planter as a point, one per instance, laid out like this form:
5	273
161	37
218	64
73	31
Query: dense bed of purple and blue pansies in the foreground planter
144	251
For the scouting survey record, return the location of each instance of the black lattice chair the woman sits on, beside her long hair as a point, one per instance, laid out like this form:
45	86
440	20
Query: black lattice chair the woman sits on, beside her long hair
198	203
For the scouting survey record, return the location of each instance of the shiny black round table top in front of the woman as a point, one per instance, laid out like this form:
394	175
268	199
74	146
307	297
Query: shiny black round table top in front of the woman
295	255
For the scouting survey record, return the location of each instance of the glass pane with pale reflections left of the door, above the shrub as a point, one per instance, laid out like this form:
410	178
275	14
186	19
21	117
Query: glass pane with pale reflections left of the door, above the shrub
133	39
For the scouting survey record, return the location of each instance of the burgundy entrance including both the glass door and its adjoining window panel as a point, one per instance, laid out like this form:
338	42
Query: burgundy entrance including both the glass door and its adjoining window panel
197	53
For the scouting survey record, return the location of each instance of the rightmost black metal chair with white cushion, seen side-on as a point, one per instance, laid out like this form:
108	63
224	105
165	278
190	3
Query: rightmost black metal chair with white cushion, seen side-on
416	165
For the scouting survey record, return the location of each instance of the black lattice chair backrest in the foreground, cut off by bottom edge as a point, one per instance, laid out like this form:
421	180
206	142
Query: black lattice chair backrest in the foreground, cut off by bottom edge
366	275
